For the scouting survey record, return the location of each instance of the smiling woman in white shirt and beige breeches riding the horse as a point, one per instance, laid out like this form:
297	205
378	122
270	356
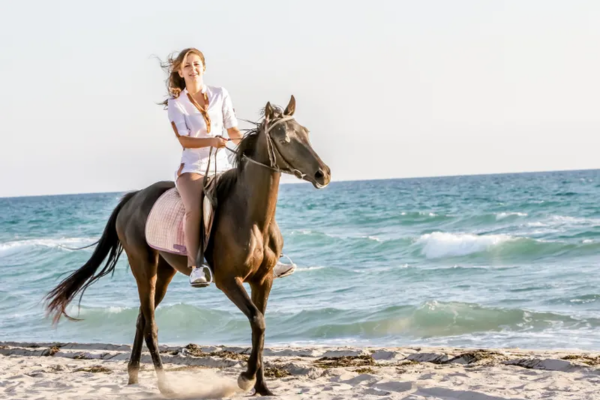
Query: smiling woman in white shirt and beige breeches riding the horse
198	114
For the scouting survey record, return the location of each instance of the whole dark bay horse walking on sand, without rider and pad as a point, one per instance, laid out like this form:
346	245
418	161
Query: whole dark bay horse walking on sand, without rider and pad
245	243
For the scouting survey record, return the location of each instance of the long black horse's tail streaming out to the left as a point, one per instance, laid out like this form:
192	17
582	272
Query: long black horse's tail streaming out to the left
108	245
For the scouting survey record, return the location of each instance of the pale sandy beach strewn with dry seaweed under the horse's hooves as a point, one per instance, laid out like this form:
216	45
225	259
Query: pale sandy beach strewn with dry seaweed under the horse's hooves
99	371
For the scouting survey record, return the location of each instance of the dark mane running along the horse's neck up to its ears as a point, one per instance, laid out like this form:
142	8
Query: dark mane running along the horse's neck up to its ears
246	148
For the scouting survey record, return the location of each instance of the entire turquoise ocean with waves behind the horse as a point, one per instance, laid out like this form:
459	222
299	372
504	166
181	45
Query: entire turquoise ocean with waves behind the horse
473	261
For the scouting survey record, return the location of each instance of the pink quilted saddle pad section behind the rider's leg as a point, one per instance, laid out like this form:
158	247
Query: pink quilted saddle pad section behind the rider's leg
164	227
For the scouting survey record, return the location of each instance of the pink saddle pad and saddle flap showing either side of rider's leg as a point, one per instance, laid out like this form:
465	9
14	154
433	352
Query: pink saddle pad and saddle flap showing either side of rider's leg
164	226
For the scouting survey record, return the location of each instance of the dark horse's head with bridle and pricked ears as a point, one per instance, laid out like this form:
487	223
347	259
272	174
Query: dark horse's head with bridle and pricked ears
289	147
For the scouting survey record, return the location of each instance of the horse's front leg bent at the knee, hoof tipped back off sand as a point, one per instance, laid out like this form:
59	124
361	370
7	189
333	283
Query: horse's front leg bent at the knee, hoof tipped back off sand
236	292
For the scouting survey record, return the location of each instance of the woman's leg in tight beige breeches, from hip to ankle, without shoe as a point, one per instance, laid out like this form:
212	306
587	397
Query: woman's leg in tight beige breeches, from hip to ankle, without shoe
189	186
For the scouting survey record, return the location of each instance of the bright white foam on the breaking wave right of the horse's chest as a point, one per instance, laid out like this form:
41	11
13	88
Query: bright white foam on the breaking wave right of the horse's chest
442	244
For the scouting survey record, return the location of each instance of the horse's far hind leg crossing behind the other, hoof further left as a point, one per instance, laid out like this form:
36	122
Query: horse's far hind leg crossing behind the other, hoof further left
165	274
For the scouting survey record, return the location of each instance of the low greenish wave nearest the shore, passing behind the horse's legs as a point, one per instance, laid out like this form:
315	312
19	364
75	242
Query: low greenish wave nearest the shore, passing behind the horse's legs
425	320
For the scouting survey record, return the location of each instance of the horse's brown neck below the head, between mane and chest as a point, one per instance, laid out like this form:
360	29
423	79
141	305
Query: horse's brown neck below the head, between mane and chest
261	186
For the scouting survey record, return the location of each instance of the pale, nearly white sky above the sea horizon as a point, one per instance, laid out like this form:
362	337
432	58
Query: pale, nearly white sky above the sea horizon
388	89
